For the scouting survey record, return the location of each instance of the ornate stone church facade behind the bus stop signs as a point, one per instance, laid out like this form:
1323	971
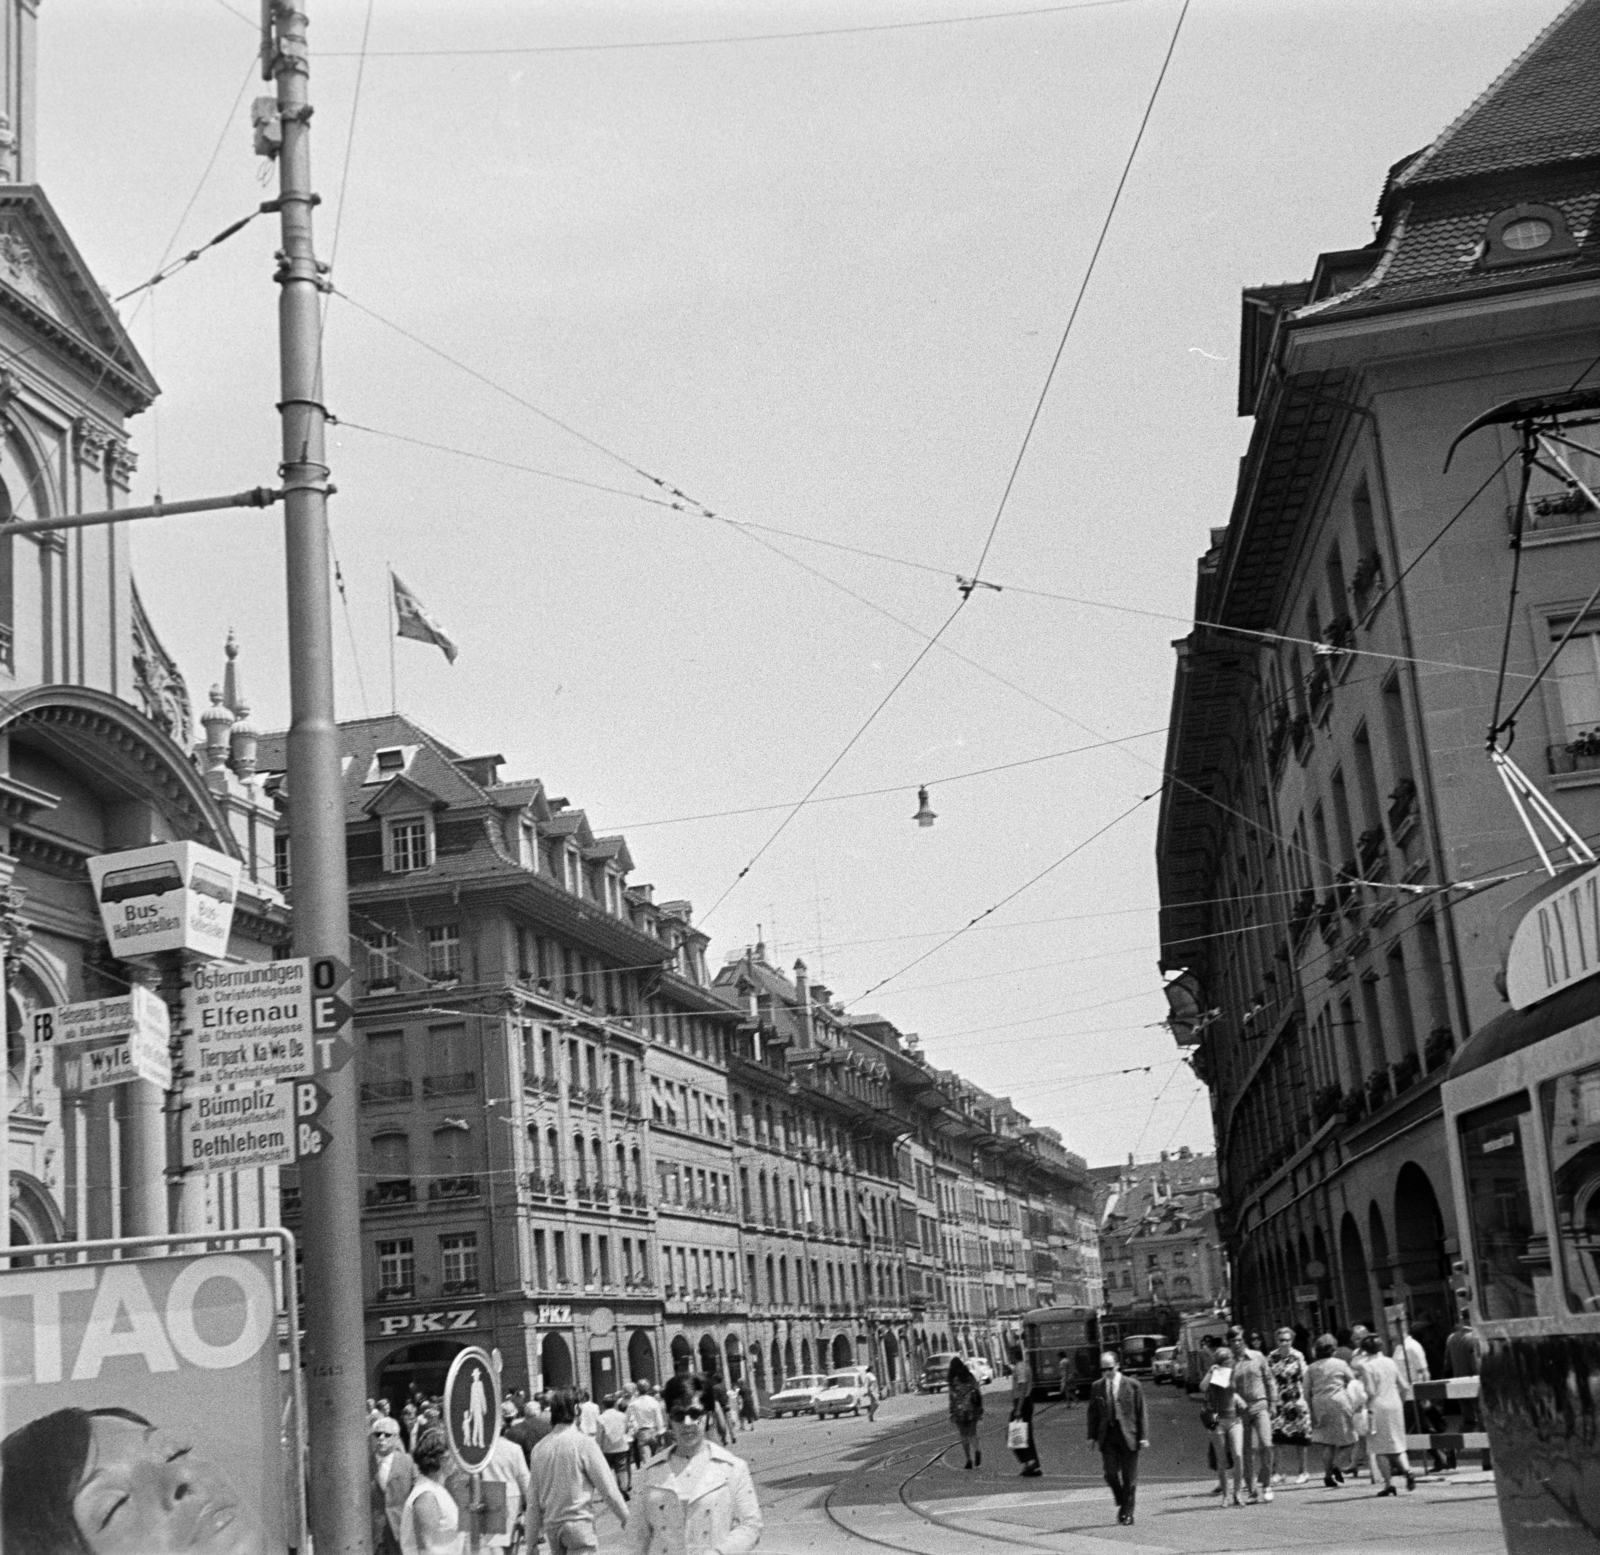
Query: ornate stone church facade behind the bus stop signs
100	746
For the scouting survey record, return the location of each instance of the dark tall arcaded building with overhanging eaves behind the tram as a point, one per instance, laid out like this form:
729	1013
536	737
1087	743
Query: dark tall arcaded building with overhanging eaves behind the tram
1334	837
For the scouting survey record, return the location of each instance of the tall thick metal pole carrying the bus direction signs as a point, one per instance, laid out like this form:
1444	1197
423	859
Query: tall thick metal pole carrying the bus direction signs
330	1188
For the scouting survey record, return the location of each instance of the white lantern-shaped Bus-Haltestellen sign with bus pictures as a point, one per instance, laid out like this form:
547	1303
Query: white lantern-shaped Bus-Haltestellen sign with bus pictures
170	897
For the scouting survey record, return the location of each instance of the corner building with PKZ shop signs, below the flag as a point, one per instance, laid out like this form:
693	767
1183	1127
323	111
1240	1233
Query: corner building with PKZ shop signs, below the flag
508	991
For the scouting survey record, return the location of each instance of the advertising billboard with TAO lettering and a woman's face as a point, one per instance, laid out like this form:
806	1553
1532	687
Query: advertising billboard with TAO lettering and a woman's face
142	1404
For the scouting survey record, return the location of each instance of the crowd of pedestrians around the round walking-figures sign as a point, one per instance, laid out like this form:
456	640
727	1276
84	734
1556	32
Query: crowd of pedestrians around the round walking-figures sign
646	1453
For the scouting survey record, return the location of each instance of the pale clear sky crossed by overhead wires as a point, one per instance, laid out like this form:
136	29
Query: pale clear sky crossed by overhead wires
809	265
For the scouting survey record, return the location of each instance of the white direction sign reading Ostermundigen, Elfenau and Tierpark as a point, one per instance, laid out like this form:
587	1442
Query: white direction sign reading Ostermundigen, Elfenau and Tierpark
249	1023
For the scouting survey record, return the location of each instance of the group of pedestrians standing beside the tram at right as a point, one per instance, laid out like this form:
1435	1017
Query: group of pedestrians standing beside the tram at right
1353	1404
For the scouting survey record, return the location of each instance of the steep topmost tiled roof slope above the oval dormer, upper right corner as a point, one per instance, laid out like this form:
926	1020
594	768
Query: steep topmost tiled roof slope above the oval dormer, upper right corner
1545	108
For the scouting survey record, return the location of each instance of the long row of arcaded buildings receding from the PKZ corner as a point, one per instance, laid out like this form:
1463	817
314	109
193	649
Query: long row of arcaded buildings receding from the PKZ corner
578	1151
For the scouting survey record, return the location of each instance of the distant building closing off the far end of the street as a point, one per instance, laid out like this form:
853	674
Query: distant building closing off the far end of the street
1159	1236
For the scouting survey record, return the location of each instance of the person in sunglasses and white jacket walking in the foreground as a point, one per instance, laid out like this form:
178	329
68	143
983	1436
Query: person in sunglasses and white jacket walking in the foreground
698	1498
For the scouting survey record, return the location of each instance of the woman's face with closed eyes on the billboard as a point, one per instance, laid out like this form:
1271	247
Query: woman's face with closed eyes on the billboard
148	1492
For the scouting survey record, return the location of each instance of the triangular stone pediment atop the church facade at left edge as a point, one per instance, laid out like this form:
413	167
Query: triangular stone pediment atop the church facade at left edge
47	289
